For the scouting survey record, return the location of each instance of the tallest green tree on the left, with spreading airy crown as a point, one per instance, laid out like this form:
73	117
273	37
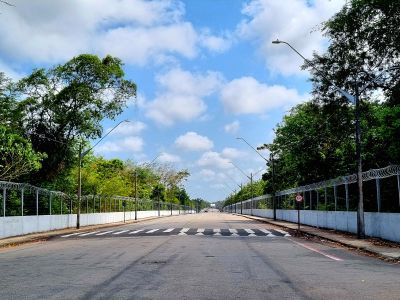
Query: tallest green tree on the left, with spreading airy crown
67	103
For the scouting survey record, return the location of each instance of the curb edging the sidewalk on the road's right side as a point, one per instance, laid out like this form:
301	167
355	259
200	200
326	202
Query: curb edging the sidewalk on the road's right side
364	249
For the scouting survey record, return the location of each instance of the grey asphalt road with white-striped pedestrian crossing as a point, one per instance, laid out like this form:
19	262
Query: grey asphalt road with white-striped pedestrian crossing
205	256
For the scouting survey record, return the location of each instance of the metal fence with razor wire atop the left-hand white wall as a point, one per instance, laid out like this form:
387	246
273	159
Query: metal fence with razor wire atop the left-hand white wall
21	199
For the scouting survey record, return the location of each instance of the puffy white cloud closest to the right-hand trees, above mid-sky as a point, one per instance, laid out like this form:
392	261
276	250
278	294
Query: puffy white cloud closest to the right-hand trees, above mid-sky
248	96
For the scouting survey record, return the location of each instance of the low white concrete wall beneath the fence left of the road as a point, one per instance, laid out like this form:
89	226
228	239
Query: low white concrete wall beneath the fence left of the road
14	226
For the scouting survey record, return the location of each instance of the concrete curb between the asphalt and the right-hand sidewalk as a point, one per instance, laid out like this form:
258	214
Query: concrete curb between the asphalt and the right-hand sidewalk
331	239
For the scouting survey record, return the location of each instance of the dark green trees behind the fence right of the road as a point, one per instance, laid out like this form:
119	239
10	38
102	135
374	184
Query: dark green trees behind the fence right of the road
316	140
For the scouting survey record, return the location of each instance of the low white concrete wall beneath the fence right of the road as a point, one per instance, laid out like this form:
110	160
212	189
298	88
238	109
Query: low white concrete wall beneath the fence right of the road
382	225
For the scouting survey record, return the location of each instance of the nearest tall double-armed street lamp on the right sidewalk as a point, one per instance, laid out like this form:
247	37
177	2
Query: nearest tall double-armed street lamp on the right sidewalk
356	100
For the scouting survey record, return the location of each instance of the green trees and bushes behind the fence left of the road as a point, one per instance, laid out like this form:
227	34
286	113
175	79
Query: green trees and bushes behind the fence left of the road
47	115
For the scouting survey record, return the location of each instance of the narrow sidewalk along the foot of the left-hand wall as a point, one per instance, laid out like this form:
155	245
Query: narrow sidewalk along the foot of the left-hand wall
43	236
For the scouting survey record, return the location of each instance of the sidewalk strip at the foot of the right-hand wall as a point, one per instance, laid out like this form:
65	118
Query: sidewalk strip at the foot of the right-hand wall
383	249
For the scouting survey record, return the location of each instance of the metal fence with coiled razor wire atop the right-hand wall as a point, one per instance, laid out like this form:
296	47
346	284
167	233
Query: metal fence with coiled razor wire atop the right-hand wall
381	194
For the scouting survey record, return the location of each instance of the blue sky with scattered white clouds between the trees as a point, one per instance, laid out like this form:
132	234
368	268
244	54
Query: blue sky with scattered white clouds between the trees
206	73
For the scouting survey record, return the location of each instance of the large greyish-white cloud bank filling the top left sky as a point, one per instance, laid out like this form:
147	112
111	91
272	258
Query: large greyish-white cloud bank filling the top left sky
135	30
